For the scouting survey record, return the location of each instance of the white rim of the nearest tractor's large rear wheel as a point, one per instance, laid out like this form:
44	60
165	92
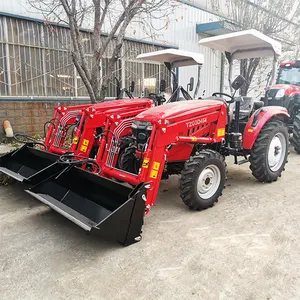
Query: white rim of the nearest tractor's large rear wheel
276	153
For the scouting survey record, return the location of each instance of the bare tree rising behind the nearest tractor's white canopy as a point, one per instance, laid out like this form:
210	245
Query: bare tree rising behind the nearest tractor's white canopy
275	18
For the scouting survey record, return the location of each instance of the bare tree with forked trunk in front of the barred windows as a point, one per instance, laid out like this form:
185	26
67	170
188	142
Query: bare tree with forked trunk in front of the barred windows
109	20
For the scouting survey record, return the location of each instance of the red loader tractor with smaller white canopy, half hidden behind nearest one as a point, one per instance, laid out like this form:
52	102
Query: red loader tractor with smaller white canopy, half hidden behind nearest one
86	130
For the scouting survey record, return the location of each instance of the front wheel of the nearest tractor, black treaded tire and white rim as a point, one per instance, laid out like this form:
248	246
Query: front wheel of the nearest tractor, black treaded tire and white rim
203	179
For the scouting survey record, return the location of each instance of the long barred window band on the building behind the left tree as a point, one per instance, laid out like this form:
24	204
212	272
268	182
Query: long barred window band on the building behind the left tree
35	61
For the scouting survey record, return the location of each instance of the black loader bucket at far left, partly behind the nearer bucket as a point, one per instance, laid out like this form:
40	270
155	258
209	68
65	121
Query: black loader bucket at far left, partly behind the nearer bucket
24	163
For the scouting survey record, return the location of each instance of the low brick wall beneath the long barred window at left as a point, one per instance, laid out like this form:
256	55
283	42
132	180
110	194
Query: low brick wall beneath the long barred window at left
28	117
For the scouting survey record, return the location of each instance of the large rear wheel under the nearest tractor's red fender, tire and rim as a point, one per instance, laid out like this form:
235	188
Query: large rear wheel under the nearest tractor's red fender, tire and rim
269	153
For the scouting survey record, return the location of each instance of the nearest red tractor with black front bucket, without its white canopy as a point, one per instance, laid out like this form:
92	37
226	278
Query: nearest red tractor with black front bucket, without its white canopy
190	138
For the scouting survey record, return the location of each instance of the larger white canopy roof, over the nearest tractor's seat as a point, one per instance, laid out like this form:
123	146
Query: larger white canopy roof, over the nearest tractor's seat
244	44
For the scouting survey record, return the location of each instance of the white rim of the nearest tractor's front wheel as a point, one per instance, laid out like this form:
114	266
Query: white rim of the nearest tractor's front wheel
208	181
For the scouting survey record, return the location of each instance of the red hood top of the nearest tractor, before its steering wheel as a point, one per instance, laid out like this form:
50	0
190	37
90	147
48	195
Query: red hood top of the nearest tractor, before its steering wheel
179	109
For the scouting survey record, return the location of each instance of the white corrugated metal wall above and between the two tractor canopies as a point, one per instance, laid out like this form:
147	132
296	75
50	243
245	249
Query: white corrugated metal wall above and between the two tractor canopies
181	32
